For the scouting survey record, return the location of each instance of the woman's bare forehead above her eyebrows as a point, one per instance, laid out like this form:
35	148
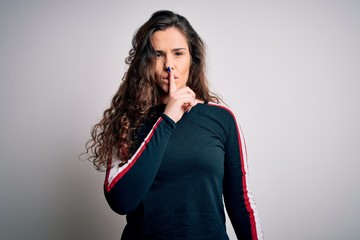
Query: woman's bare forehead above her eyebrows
169	38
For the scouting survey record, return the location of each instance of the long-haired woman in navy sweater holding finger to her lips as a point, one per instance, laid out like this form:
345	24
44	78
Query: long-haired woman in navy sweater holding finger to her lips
171	152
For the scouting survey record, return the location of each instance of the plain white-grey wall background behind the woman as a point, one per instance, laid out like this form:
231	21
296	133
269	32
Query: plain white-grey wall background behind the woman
289	69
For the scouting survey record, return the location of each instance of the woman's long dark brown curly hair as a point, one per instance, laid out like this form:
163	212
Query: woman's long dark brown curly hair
115	134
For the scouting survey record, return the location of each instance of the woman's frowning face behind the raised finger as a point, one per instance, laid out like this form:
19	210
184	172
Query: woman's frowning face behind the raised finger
172	51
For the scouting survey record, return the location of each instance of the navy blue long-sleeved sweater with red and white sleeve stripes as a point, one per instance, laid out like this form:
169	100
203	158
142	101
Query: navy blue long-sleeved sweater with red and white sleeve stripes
175	184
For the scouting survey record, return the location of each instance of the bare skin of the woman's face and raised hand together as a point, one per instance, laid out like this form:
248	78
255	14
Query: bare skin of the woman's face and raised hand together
172	68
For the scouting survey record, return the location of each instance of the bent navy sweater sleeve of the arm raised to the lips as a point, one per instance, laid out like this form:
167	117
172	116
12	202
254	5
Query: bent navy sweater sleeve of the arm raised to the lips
126	186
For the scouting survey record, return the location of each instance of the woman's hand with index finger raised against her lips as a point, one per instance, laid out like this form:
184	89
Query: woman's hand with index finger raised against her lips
179	101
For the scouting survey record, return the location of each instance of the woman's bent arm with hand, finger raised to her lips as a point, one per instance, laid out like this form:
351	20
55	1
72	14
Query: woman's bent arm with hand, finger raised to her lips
126	186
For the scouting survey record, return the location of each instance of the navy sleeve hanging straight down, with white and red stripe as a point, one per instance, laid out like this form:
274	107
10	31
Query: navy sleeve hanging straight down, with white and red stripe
238	199
